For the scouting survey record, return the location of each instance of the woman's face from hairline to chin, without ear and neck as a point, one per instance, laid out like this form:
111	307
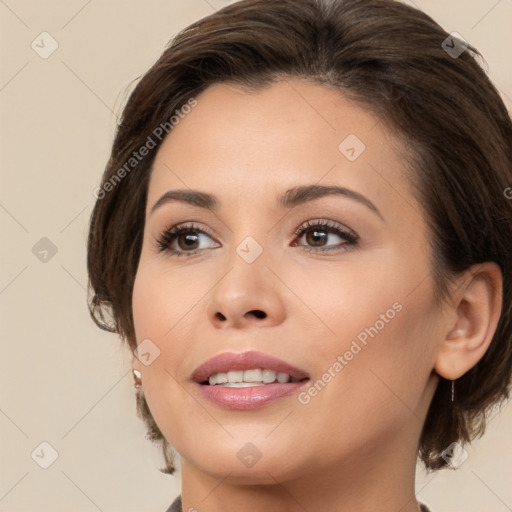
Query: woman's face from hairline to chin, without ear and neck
350	304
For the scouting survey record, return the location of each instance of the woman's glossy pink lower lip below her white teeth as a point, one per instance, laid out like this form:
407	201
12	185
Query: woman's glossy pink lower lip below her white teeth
253	397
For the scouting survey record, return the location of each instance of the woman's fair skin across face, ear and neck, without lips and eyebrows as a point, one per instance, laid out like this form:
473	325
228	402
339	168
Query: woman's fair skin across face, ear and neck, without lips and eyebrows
353	446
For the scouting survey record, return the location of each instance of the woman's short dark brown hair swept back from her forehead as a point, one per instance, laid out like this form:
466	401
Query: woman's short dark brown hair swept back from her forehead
391	59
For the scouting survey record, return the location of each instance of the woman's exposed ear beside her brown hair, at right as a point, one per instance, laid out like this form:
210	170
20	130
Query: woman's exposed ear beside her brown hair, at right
472	320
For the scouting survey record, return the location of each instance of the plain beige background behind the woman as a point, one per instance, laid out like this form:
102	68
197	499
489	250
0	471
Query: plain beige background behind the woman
64	381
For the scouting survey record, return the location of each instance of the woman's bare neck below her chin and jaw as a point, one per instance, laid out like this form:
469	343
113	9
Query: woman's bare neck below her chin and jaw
365	481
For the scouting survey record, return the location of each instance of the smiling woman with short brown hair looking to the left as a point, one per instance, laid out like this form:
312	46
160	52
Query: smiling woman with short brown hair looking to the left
304	236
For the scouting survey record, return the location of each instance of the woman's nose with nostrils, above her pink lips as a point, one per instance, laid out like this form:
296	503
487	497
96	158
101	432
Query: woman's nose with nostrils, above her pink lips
247	295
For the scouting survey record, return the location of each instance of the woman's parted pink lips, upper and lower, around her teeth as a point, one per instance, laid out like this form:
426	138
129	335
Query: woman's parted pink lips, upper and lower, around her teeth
251	397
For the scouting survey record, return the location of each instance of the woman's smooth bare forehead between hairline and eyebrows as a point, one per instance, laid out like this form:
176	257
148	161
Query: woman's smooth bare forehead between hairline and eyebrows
246	147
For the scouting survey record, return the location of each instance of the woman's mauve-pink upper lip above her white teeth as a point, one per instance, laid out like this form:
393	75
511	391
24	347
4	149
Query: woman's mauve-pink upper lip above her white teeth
227	361
